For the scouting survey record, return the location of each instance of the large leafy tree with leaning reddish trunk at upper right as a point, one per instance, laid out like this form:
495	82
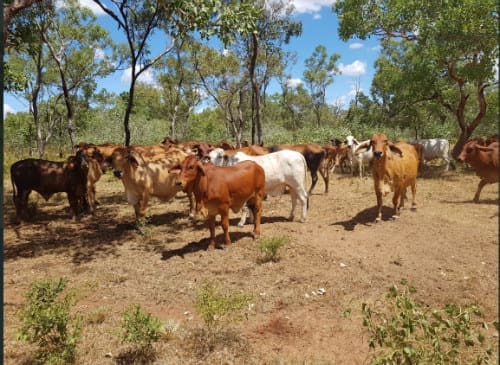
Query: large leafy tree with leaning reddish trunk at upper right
452	45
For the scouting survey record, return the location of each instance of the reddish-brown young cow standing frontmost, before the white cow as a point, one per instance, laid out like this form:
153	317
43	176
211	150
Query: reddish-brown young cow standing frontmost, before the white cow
217	189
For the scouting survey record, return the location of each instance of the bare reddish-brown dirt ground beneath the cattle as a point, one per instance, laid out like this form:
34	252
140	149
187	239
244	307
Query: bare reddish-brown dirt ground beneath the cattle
447	249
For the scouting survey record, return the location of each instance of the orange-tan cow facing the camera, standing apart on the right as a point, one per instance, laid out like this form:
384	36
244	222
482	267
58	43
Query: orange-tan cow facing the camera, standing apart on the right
395	166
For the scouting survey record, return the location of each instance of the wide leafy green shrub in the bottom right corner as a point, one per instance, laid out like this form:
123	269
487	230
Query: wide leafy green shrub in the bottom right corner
409	333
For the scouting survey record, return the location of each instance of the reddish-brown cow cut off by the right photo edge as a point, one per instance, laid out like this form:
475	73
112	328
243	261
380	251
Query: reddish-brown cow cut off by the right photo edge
484	161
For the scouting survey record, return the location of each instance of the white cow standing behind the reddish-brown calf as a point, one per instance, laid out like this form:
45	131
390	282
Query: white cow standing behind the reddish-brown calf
282	168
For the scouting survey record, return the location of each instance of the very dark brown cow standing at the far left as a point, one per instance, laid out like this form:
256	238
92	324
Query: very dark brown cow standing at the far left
47	178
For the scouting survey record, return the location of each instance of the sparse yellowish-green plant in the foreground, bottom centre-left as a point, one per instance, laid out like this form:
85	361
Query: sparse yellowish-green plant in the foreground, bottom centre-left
217	308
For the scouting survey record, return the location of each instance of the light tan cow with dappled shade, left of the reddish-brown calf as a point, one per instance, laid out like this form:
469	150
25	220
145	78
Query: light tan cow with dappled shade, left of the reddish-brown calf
145	175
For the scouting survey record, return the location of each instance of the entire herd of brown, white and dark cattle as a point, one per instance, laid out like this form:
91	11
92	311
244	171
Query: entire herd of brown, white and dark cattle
220	177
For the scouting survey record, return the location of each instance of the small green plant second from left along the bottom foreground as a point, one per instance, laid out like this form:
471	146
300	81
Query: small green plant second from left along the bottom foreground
139	328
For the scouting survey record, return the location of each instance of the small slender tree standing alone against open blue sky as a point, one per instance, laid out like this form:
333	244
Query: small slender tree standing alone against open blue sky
318	75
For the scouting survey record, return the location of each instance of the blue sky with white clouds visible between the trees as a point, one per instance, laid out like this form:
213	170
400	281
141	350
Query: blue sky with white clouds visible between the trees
319	27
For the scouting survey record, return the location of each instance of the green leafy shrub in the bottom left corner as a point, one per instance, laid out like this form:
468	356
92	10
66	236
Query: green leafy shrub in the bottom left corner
48	323
